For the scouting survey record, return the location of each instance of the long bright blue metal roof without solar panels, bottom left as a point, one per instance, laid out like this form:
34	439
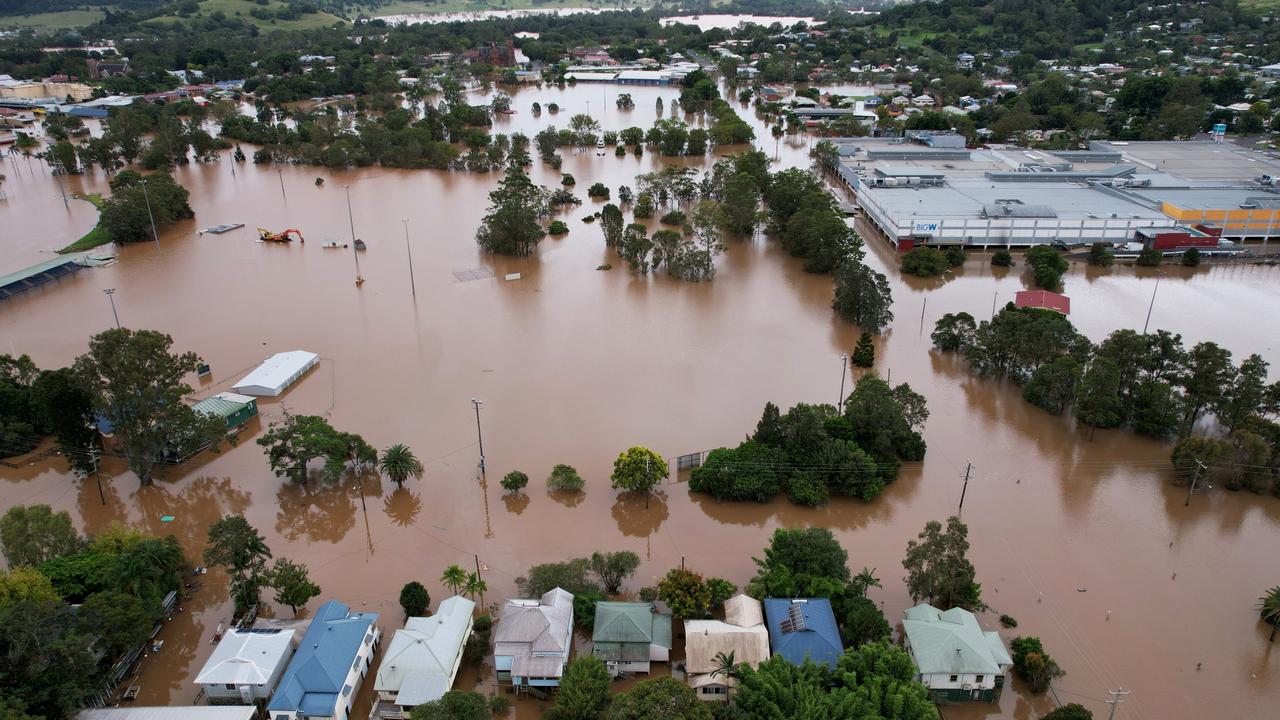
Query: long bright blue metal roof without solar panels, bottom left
314	680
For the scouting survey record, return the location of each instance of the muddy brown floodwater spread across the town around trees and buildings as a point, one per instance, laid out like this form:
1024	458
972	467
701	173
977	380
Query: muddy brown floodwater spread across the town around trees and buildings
1086	541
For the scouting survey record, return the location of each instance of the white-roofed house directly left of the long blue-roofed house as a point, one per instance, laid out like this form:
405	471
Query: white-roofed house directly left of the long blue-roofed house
246	666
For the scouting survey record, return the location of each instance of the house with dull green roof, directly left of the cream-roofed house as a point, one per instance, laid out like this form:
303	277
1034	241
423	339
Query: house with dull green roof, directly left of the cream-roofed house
629	636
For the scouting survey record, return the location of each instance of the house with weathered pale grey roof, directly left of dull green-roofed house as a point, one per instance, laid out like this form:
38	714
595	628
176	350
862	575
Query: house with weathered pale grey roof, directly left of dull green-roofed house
534	639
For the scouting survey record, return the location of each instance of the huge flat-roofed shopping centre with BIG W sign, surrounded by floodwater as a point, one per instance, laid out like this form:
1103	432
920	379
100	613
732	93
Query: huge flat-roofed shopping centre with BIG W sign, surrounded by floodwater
929	189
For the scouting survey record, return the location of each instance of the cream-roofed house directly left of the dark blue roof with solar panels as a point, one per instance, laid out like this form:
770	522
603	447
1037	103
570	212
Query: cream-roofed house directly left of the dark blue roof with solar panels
743	634
